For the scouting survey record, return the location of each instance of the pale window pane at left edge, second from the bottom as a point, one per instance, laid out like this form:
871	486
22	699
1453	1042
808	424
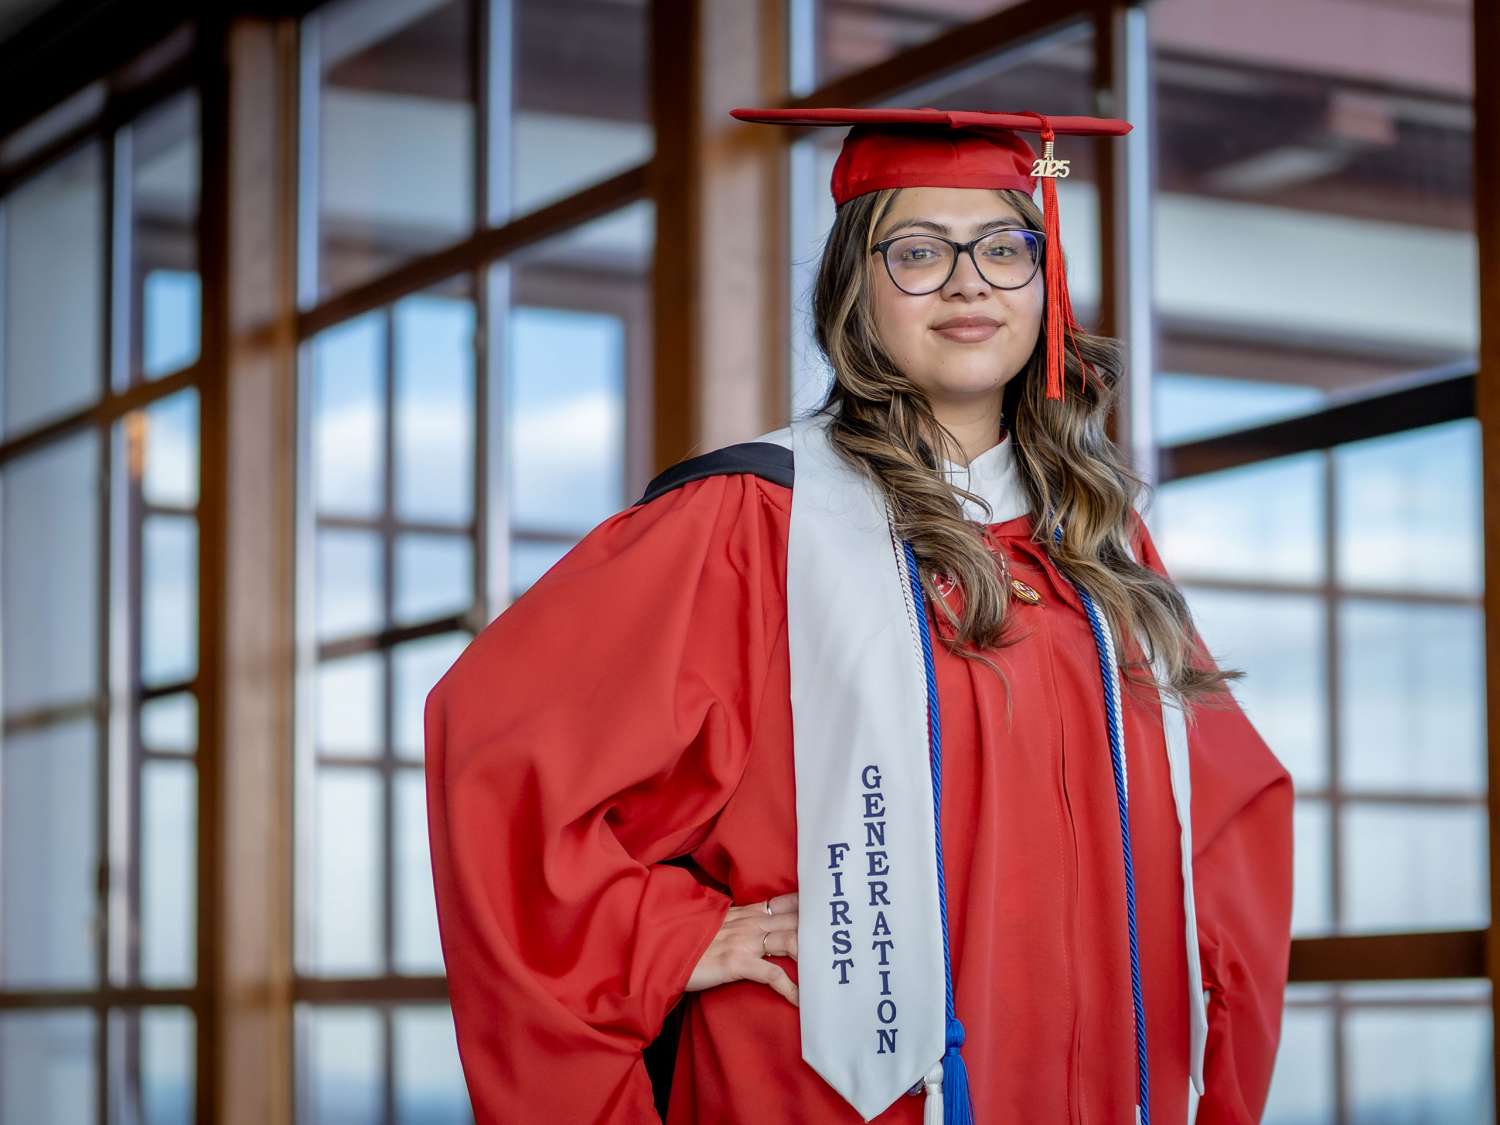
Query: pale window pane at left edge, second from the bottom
49	857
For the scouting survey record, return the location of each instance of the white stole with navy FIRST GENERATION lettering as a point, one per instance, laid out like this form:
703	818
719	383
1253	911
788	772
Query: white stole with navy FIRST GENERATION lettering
872	974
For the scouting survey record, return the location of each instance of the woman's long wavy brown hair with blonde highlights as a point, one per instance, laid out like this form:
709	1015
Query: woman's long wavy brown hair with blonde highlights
884	427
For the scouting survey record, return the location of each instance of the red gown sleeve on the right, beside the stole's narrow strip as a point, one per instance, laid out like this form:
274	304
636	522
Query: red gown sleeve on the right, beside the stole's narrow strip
1243	805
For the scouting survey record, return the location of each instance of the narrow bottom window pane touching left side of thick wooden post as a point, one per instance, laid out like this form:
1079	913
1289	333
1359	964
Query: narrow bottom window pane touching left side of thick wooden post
152	1066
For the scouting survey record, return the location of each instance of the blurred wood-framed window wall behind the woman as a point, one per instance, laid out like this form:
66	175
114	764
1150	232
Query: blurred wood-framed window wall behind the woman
326	329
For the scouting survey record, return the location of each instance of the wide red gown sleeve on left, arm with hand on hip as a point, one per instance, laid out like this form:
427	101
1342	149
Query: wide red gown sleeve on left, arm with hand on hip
590	733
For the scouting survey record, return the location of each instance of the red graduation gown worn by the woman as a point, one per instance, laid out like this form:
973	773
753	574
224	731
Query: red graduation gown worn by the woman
634	706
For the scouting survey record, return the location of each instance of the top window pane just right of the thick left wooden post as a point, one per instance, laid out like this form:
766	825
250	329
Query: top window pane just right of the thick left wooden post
395	173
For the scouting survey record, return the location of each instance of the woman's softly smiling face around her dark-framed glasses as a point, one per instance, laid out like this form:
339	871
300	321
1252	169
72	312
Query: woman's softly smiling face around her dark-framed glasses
956	371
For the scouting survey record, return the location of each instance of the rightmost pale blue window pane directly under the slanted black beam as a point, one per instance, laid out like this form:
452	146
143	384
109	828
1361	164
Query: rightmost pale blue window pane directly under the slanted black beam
1409	511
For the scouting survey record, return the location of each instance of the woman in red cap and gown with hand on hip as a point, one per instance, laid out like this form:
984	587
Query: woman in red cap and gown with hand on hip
755	677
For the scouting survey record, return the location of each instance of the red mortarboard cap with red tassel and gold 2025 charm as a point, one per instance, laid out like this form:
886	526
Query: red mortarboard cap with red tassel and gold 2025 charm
959	149
